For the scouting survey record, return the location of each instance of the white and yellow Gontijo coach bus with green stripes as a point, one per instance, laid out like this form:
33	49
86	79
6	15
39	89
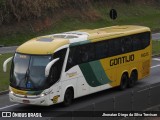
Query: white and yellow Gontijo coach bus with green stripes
61	67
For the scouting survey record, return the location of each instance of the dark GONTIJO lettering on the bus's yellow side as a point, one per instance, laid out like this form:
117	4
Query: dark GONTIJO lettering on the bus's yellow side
122	60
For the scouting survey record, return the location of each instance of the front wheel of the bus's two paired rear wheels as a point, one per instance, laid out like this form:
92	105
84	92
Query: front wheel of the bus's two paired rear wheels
124	81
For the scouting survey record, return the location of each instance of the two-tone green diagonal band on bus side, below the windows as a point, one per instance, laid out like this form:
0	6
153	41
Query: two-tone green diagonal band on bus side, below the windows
94	73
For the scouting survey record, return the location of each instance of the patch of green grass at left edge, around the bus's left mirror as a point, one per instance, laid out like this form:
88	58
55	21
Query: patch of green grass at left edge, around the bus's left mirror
4	77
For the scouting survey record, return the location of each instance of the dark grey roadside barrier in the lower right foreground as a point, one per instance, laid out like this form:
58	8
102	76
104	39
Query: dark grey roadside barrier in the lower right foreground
138	99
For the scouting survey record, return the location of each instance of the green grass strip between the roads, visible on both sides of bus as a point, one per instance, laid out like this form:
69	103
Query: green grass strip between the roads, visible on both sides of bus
4	77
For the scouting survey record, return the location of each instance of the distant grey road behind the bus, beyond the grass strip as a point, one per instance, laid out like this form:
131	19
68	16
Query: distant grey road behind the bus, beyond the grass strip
12	49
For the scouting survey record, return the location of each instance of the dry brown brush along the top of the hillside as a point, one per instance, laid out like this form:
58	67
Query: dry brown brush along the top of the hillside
23	10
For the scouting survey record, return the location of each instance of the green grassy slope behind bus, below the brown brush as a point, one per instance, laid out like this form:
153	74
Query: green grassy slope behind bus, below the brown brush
136	14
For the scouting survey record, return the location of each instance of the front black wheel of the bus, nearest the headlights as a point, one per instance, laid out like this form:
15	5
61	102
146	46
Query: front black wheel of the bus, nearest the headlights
68	97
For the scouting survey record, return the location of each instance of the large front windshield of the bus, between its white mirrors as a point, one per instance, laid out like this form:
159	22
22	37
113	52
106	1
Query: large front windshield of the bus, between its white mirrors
28	71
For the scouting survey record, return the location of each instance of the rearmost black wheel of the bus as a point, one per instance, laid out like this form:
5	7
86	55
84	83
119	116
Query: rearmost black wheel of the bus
133	79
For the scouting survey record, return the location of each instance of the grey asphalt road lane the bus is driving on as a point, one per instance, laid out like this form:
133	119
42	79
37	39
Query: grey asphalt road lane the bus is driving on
6	105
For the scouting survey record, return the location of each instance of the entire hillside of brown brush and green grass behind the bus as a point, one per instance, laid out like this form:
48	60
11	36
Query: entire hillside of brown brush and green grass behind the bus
21	20
